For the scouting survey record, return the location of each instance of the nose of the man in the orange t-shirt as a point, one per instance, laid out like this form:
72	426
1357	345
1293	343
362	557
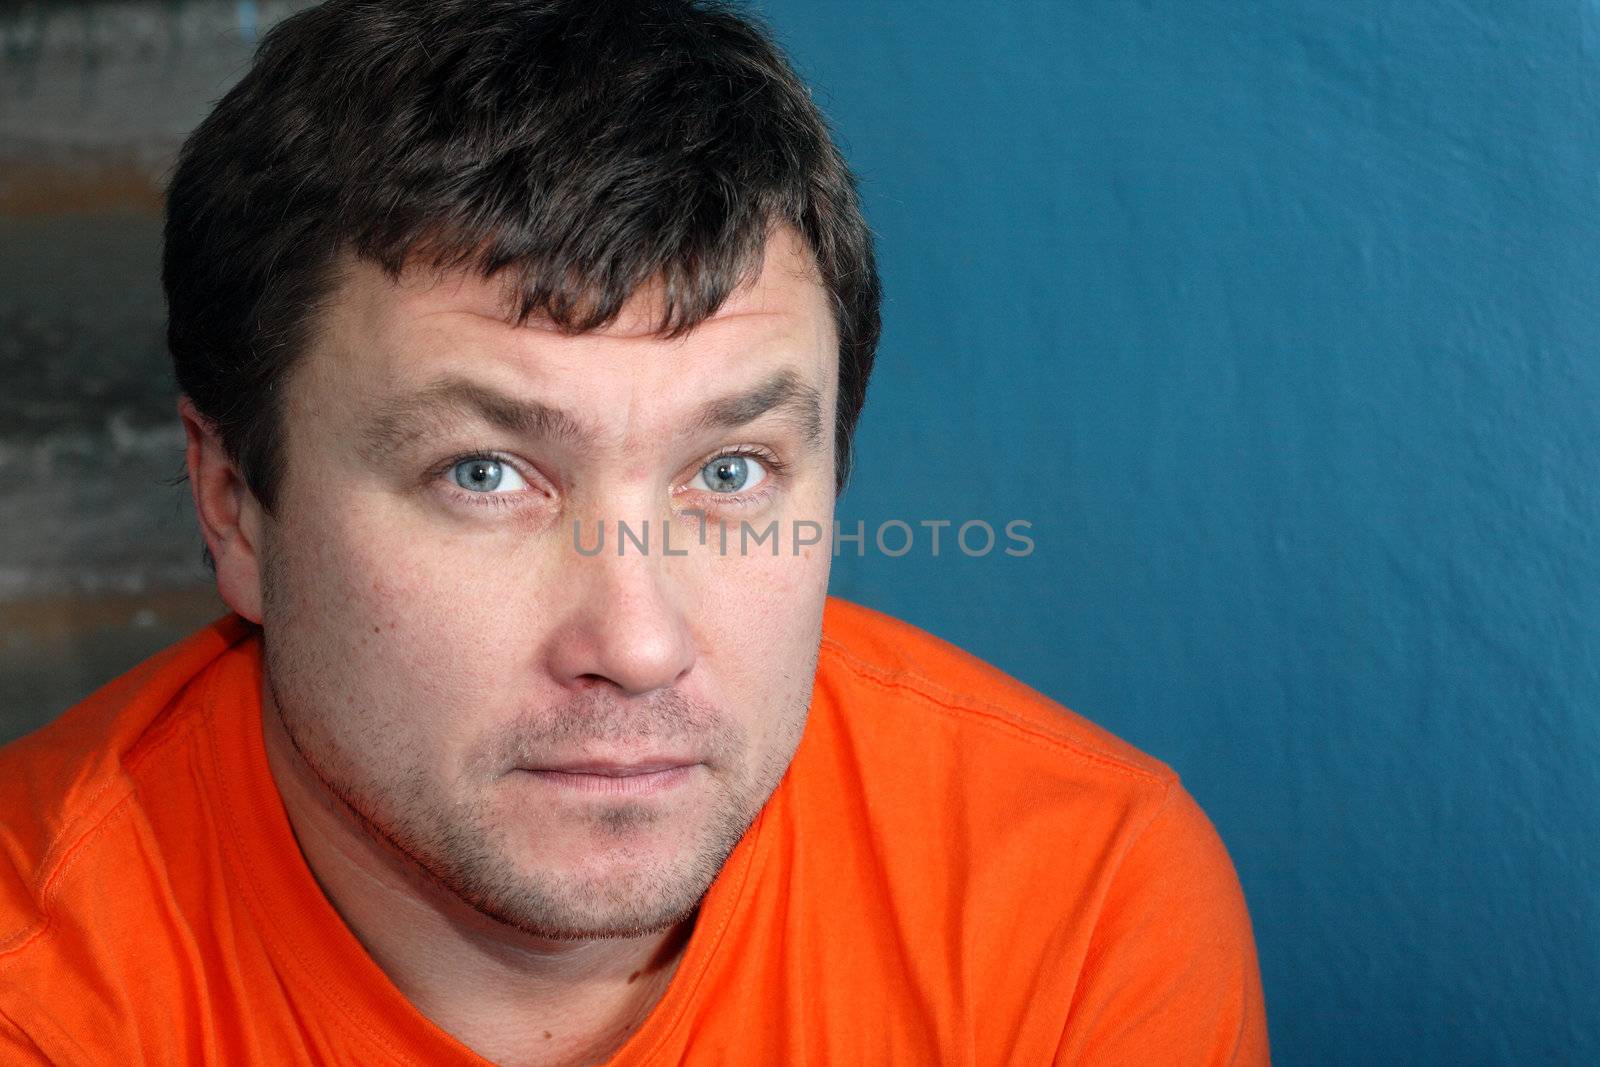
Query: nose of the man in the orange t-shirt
623	625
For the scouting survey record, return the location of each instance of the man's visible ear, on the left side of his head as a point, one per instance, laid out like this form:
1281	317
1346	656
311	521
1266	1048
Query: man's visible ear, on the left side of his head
231	519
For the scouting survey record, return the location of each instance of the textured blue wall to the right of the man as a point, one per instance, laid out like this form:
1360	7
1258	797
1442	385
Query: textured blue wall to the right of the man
1282	326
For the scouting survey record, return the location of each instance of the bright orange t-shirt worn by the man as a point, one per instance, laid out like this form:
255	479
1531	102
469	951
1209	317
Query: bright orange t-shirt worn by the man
954	871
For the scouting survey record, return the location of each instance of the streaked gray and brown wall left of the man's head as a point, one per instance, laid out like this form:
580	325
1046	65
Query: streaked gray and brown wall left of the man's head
100	557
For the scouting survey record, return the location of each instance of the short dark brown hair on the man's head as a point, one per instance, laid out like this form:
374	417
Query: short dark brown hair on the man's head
583	146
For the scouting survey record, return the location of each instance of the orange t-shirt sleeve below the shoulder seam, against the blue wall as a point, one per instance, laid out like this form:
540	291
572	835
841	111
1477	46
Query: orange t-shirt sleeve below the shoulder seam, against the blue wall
1172	973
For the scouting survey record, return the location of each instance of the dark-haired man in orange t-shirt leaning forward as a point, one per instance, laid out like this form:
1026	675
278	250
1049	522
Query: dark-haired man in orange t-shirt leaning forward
452	284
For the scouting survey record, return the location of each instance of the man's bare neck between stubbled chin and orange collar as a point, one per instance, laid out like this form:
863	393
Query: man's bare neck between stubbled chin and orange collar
508	996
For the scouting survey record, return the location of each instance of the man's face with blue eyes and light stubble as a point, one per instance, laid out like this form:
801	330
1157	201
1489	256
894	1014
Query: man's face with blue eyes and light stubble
569	741
